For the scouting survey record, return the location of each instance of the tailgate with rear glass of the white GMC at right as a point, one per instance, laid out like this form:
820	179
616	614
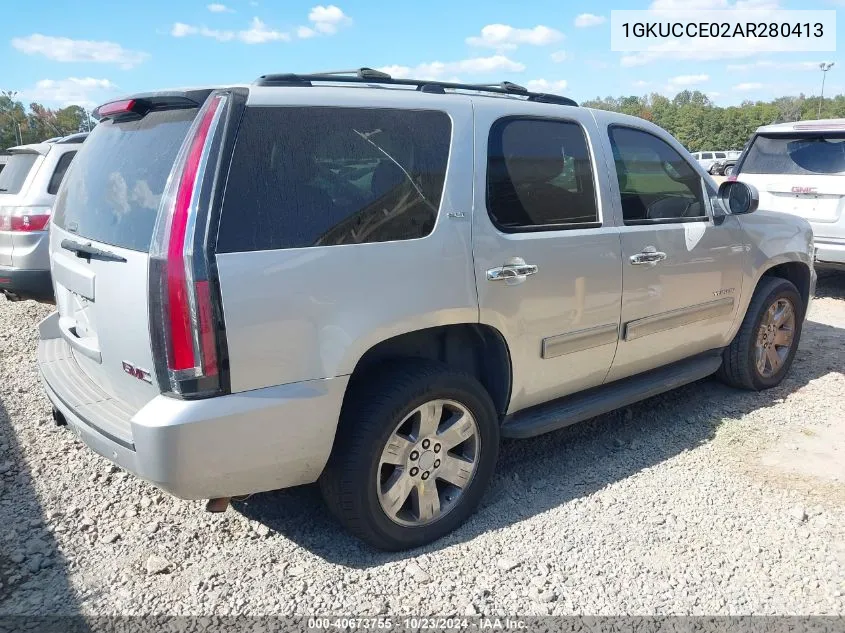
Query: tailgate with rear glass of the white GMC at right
802	173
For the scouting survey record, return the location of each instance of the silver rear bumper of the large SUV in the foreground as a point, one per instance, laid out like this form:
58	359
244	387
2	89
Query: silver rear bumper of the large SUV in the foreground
231	445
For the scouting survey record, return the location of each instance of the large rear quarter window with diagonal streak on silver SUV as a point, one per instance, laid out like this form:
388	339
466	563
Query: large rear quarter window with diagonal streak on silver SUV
325	176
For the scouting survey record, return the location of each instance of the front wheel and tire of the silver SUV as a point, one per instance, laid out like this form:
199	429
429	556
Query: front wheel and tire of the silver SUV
764	347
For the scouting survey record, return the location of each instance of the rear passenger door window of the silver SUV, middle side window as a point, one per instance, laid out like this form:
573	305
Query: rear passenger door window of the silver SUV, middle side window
539	176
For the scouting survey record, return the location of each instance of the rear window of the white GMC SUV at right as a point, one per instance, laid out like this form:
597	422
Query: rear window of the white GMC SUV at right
800	154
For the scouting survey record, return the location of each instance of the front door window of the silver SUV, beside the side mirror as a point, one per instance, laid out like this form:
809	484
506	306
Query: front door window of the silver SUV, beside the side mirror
655	183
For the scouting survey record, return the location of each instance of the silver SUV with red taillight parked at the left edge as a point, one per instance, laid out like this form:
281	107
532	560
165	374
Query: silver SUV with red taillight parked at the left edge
28	187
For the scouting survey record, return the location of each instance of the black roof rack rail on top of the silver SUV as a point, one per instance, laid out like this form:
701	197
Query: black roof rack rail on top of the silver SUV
371	76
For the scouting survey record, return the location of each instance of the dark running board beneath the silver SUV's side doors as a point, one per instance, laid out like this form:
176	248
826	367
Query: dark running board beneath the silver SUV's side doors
562	412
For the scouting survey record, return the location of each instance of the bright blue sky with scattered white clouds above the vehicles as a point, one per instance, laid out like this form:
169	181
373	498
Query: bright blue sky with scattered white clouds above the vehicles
58	56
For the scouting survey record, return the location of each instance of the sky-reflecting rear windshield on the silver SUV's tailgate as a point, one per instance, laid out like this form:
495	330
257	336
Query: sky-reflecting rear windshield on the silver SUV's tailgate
114	188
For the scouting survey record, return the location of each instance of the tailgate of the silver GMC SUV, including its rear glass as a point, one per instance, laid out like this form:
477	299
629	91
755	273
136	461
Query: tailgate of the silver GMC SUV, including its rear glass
110	201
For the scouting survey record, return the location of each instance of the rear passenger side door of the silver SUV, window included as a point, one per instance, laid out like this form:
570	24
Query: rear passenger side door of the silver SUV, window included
546	250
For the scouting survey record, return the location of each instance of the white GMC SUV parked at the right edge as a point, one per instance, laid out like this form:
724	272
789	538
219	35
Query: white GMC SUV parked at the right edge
799	168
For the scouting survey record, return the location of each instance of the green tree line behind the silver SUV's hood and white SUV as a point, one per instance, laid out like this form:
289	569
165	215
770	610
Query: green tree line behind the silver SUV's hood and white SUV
698	124
